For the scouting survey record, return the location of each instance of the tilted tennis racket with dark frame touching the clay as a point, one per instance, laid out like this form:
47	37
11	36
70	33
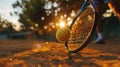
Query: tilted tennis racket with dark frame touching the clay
82	28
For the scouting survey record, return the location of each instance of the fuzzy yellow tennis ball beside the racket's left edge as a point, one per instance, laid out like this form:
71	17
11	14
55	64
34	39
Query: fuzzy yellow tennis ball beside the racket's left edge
63	34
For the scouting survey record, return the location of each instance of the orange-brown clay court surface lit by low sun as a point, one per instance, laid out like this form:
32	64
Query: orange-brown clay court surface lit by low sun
29	53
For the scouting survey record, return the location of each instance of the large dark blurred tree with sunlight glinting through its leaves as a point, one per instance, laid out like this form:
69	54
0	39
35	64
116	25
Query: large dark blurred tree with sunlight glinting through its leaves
42	12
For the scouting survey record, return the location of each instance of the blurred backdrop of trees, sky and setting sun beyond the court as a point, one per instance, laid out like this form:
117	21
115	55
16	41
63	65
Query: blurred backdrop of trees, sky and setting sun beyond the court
39	19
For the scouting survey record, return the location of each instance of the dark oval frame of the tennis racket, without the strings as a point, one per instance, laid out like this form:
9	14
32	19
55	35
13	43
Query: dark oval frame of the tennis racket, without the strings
86	42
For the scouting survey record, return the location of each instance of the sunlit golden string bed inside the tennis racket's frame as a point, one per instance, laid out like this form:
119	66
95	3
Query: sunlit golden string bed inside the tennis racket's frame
82	27
